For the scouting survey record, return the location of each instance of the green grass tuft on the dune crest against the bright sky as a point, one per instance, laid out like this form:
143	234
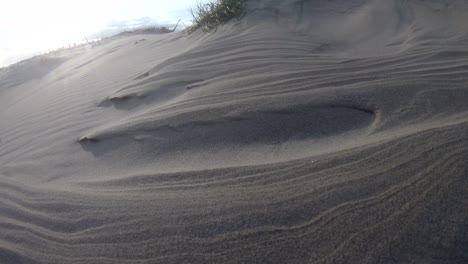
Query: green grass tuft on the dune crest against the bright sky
209	15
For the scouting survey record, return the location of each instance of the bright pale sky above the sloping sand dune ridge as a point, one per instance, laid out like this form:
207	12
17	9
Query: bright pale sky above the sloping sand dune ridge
31	27
